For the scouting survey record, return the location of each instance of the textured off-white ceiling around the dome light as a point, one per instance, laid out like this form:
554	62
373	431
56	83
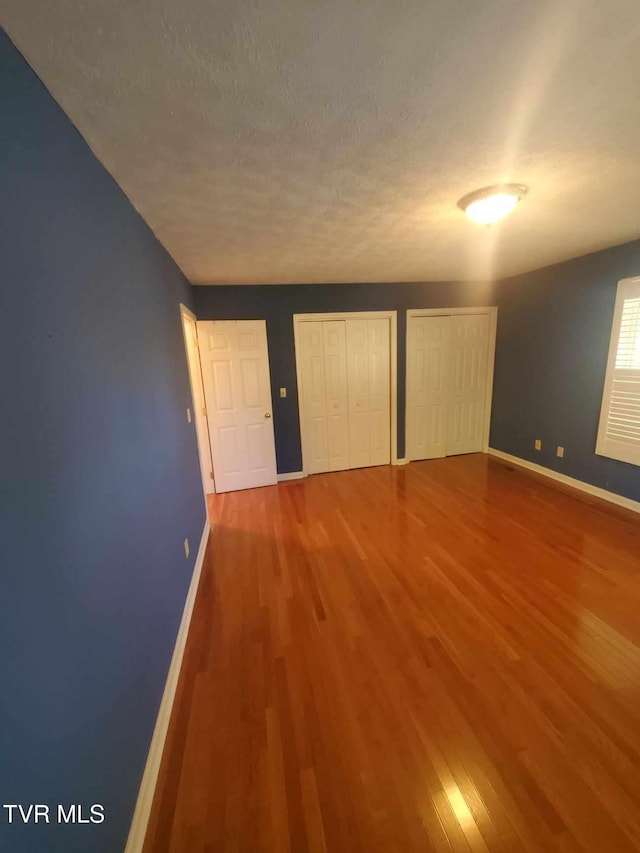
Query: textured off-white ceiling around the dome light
306	141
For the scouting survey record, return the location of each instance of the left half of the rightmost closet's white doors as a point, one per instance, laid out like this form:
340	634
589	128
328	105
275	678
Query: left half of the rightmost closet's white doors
427	373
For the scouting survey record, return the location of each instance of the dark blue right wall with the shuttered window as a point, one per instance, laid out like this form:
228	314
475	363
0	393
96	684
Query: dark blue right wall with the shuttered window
554	328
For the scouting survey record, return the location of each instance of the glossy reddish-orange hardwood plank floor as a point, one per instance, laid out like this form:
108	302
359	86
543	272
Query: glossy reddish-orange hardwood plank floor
443	656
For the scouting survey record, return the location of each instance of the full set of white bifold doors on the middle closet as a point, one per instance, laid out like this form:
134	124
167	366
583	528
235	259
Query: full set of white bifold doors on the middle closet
345	388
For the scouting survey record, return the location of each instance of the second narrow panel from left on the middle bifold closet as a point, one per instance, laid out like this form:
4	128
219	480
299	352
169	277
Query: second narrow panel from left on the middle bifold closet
336	393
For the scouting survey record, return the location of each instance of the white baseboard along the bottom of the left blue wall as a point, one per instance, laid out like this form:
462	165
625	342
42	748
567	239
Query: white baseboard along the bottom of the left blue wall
141	814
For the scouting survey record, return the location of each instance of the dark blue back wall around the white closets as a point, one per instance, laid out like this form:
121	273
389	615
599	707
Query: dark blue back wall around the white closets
278	303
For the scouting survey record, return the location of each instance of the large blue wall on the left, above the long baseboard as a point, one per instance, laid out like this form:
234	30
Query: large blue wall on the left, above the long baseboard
100	481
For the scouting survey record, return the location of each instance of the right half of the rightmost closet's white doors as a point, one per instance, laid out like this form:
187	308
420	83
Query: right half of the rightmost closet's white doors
467	377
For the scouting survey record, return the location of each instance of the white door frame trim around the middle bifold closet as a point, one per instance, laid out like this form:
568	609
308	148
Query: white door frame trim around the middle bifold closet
392	316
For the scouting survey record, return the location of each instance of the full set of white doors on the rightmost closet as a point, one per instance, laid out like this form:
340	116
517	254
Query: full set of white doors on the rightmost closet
448	364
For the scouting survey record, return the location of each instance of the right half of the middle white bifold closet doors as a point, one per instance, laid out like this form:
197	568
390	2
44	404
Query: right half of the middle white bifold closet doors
369	381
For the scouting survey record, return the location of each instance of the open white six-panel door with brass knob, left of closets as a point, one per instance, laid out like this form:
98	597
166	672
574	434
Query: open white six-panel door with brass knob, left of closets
235	371
